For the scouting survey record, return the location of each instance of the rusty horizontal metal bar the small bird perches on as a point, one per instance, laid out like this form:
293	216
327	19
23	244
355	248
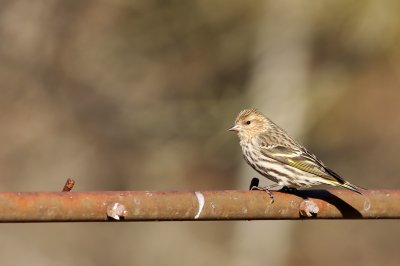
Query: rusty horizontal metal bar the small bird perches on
191	206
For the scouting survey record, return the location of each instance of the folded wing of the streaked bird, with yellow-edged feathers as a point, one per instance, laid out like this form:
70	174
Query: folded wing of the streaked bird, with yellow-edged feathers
300	159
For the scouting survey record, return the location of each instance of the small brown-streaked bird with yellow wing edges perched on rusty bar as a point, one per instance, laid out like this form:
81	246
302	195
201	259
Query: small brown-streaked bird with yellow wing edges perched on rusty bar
274	154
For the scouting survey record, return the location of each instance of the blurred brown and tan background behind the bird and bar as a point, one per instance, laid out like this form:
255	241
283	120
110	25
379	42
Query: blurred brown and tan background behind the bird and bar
137	95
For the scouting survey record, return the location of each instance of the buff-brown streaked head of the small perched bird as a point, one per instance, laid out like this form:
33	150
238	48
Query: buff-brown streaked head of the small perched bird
249	123
